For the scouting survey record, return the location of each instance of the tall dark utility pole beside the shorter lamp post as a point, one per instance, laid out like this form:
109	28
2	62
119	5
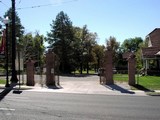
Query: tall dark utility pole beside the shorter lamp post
14	78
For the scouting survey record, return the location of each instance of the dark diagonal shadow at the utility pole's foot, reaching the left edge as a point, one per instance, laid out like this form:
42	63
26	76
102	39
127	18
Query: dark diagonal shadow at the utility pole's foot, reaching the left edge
6	91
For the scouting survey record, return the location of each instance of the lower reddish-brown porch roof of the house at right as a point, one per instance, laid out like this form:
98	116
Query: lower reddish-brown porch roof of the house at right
150	52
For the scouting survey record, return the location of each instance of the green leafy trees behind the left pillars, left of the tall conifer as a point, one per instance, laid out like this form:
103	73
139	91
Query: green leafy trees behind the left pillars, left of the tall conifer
33	48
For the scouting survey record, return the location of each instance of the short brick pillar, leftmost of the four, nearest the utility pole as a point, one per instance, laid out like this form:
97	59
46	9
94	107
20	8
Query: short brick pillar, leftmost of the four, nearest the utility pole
30	73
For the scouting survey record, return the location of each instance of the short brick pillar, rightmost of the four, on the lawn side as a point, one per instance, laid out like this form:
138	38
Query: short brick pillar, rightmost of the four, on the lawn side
131	69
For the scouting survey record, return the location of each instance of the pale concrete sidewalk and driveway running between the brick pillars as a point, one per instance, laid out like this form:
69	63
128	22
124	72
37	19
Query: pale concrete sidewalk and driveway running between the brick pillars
82	85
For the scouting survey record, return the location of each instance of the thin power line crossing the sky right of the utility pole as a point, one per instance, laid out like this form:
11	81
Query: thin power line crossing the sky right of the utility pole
45	5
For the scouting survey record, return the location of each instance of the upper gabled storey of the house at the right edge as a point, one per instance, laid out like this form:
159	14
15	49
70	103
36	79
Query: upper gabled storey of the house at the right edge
154	37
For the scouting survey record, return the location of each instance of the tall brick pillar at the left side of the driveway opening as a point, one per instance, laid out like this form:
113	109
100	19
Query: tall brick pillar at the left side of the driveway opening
50	77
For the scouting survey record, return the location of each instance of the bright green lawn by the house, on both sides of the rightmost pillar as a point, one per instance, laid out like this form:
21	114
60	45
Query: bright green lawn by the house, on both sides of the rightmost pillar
149	82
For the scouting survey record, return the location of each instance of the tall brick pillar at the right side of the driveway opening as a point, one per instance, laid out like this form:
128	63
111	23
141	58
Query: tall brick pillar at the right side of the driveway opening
108	67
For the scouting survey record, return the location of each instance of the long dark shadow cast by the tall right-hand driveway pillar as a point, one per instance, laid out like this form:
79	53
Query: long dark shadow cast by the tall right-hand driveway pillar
118	88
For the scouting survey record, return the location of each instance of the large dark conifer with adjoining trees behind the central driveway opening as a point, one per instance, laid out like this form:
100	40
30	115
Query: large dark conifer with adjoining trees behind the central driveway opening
72	44
